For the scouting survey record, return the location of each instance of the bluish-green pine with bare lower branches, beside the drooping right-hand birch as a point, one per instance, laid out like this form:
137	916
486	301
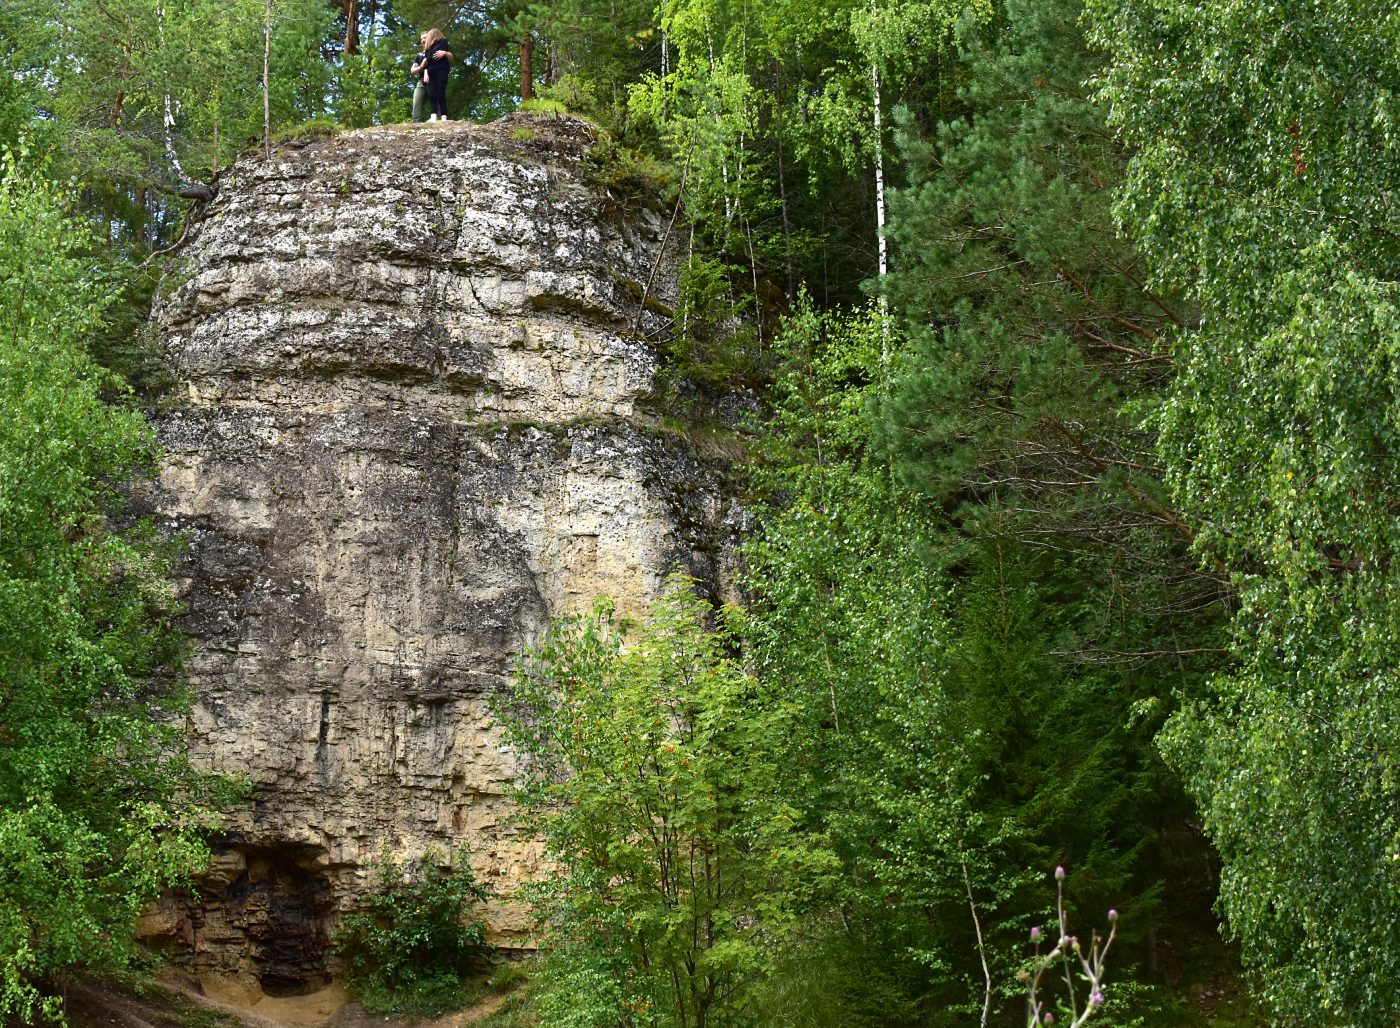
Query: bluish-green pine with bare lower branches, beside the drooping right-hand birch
1032	351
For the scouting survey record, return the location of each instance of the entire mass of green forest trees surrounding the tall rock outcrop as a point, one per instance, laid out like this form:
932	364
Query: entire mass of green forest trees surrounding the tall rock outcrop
1073	333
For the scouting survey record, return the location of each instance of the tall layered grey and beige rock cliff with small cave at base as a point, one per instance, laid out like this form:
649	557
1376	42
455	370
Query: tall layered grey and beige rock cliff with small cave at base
412	425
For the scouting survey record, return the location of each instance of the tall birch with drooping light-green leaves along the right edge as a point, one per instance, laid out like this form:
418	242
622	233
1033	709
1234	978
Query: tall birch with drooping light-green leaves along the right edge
1265	151
